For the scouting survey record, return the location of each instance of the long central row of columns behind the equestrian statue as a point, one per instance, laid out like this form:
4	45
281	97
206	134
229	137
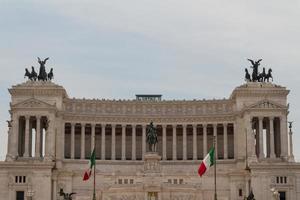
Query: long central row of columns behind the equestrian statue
169	134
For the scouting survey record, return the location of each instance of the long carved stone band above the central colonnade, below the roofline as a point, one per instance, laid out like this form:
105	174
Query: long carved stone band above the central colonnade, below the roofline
120	107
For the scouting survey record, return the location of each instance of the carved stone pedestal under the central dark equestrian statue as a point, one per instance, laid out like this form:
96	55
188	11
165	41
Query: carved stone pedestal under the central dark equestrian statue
152	163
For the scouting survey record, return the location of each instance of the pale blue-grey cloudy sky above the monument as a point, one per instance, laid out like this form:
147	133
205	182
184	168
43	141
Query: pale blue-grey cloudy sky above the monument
190	49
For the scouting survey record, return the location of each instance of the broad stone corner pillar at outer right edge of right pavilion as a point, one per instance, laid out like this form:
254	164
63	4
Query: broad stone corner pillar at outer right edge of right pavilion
283	137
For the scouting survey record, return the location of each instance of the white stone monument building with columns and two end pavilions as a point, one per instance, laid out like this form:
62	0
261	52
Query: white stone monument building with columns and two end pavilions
51	137
